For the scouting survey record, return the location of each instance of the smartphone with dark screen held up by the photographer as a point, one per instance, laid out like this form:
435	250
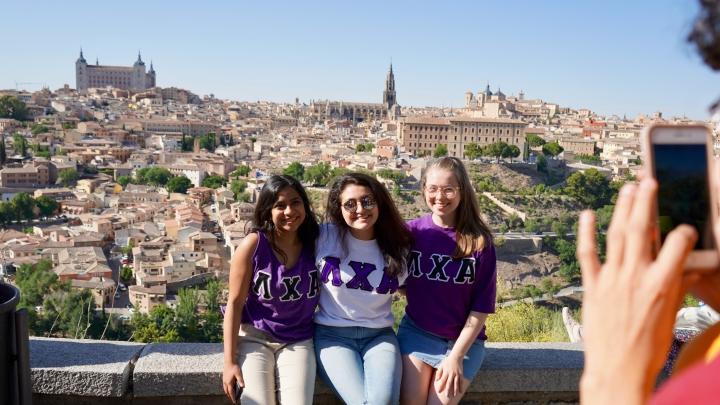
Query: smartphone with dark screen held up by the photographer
680	158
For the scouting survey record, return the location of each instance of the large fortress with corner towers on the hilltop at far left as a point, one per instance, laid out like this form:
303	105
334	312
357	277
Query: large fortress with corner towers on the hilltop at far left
122	77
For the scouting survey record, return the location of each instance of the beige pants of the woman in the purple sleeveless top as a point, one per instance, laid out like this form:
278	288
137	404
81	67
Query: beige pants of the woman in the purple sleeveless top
275	372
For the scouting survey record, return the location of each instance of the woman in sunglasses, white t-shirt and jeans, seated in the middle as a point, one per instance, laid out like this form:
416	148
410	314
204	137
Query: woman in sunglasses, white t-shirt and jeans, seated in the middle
361	254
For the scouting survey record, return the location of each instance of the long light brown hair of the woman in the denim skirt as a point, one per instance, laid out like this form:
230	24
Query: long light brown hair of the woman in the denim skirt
472	233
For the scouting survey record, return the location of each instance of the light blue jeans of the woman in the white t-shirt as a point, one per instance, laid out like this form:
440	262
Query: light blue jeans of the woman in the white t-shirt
362	365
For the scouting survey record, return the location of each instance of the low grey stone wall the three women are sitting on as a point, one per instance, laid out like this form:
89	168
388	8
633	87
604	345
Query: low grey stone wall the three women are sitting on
79	372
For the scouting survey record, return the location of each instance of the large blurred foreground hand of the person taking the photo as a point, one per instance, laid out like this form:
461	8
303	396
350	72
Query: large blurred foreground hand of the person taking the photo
630	302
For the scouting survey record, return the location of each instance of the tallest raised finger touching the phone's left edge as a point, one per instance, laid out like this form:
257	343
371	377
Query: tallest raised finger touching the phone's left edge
641	223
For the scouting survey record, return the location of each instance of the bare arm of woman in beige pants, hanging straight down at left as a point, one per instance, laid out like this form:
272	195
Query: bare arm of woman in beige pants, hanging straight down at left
240	278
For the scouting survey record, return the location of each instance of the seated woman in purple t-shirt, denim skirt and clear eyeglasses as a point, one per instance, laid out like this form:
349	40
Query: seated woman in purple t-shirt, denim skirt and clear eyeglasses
450	289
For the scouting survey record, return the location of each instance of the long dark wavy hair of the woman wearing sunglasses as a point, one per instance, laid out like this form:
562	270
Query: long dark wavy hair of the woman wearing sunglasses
391	233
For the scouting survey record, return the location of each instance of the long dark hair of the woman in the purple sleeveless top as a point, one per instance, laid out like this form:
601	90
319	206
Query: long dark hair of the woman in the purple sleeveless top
262	217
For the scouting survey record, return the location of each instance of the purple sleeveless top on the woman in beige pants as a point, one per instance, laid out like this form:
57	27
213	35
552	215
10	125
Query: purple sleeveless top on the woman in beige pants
282	301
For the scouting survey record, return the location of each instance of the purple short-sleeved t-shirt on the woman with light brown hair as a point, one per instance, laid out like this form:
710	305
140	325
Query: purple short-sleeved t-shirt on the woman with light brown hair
441	291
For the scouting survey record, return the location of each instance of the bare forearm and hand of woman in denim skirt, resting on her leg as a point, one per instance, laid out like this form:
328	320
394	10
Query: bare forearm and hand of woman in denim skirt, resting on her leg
450	372
